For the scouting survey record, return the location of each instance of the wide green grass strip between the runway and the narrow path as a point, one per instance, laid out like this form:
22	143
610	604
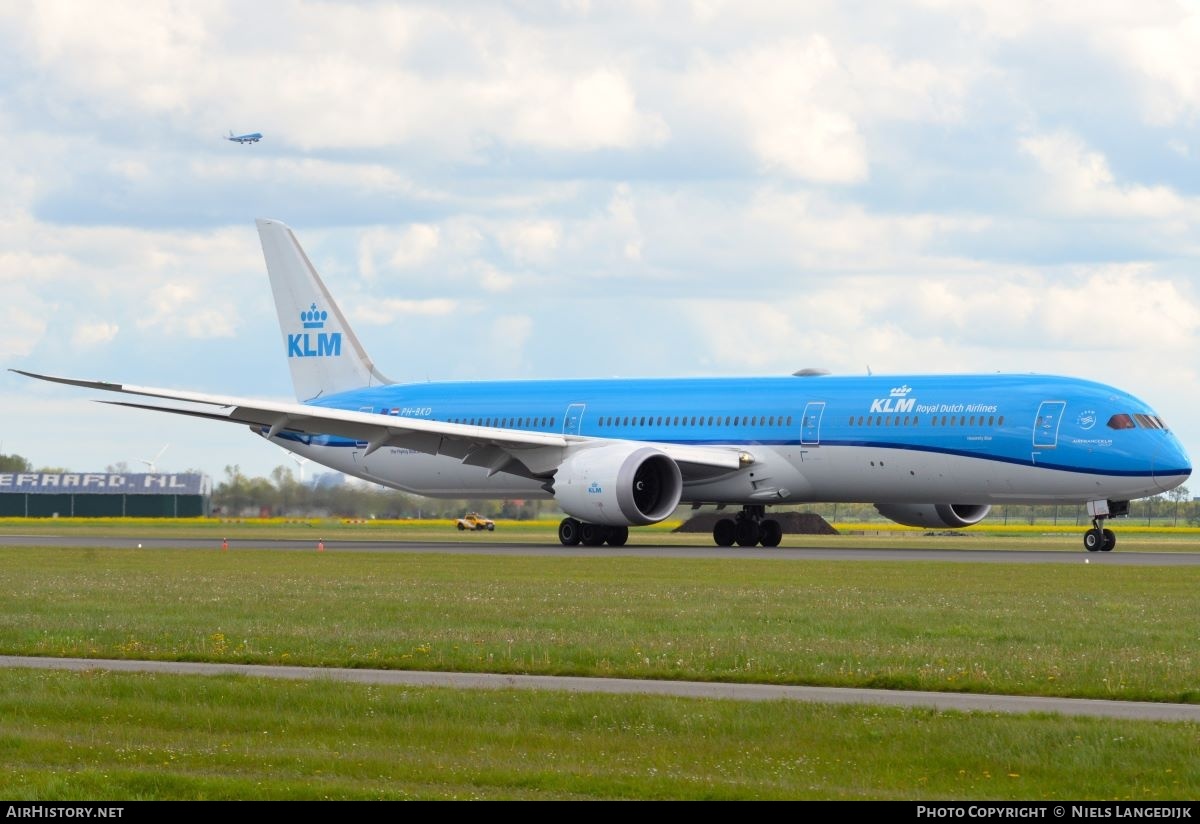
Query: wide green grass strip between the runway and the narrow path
1057	630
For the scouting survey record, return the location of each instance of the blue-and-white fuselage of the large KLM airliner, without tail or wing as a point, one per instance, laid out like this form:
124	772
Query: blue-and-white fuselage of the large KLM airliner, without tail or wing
980	438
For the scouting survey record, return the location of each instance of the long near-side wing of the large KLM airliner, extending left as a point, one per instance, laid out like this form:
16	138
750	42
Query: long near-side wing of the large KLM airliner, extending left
533	454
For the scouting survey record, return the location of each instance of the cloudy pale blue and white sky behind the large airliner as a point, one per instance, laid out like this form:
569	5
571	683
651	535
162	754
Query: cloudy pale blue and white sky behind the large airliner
559	190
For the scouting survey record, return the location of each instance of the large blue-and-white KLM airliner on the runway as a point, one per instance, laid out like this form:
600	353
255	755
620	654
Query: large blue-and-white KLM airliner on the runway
934	452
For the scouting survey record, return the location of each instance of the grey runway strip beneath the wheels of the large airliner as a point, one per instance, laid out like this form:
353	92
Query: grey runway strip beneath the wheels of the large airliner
986	555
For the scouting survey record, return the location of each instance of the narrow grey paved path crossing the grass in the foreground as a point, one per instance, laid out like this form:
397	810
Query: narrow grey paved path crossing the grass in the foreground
940	701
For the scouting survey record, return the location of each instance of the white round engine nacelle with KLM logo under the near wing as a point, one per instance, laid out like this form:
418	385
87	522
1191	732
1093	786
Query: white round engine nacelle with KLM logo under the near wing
622	485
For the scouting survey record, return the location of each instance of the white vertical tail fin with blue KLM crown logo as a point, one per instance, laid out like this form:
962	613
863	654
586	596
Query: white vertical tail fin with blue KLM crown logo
322	350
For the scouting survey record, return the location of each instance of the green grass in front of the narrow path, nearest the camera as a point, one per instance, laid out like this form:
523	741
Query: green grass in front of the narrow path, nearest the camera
127	737
